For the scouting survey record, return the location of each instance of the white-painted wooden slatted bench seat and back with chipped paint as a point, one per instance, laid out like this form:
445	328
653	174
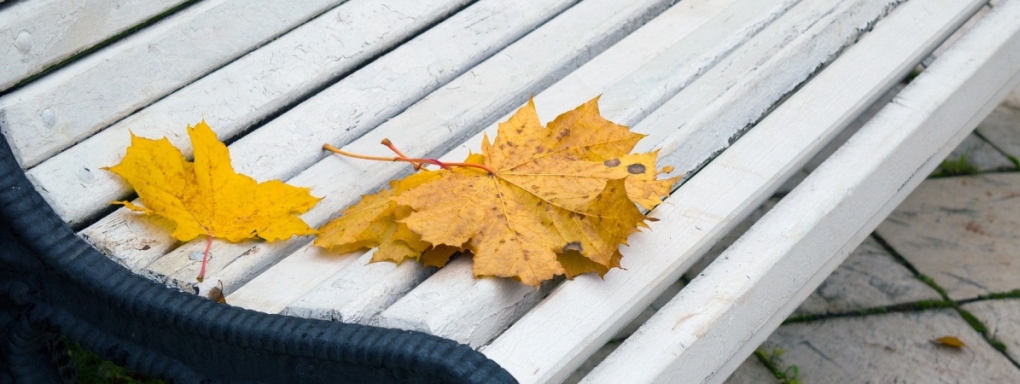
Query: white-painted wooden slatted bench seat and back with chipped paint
738	94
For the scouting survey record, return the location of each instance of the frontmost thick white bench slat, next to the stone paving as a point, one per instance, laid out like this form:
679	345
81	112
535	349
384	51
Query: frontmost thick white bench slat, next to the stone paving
707	330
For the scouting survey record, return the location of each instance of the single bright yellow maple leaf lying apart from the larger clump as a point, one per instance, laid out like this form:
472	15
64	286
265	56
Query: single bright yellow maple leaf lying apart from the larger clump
207	198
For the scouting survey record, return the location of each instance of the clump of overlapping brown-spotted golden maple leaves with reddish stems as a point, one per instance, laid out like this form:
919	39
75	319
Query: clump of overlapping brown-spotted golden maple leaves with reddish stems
537	203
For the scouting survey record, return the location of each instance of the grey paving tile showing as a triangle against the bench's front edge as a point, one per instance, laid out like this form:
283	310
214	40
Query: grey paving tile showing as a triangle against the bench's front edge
871	277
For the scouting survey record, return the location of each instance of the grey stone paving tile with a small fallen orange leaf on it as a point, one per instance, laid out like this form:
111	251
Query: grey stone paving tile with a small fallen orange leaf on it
891	349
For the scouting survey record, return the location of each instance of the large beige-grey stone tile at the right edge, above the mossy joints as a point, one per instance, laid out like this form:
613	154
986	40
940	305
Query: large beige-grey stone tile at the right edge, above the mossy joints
963	232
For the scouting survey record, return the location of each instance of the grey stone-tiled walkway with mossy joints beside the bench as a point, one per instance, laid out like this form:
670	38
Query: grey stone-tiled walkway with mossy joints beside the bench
946	264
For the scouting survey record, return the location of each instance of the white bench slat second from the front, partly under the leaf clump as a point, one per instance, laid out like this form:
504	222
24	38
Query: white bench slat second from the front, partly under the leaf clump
580	316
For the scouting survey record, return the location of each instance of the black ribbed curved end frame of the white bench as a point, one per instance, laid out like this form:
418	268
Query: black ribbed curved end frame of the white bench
54	283
